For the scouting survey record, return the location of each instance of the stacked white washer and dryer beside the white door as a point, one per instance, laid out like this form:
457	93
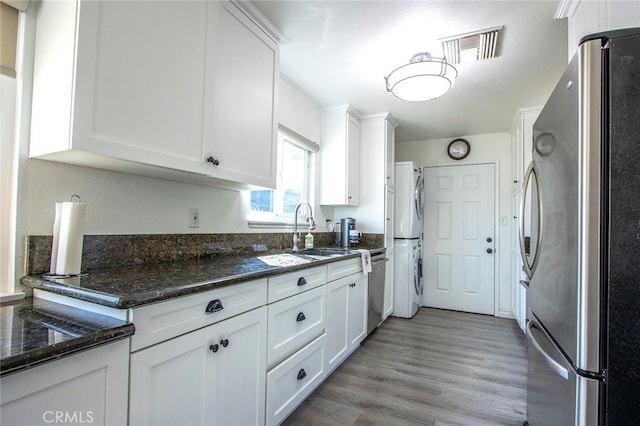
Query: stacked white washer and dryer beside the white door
409	210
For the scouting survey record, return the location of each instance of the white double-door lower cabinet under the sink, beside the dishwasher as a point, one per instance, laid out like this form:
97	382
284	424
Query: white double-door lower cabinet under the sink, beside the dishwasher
346	317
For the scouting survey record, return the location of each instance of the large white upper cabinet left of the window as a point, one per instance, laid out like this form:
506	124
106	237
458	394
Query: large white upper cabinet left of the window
156	88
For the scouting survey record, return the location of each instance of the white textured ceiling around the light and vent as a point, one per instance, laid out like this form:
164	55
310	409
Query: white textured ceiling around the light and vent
340	51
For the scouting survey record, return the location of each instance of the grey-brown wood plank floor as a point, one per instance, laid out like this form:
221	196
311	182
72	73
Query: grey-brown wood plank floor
438	368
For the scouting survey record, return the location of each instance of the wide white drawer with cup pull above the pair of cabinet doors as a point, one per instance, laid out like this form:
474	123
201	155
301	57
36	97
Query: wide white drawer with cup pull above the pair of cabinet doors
161	321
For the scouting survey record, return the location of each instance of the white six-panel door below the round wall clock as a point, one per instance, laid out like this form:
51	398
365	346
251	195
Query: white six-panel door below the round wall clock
459	240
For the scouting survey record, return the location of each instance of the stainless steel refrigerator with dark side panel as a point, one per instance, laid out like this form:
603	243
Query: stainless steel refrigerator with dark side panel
583	258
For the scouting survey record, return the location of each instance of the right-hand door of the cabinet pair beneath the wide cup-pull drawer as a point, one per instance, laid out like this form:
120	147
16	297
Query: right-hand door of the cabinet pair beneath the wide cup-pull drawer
240	370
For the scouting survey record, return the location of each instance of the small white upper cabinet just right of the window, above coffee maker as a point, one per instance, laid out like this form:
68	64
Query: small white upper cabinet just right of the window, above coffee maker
340	157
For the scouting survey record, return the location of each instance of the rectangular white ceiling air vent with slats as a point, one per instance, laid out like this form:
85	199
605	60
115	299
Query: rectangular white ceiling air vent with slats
471	47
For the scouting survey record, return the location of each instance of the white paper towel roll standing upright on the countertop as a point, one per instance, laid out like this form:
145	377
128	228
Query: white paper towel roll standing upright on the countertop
69	255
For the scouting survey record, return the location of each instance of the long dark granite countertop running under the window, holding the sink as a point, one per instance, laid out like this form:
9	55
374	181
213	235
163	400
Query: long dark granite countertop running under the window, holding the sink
144	284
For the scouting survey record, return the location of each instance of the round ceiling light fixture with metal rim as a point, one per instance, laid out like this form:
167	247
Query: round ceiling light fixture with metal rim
422	79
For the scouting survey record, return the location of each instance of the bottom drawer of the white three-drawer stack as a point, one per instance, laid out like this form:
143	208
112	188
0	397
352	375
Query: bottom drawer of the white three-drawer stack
292	381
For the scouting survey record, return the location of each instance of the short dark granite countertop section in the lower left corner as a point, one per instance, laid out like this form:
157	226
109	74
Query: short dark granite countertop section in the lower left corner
34	331
